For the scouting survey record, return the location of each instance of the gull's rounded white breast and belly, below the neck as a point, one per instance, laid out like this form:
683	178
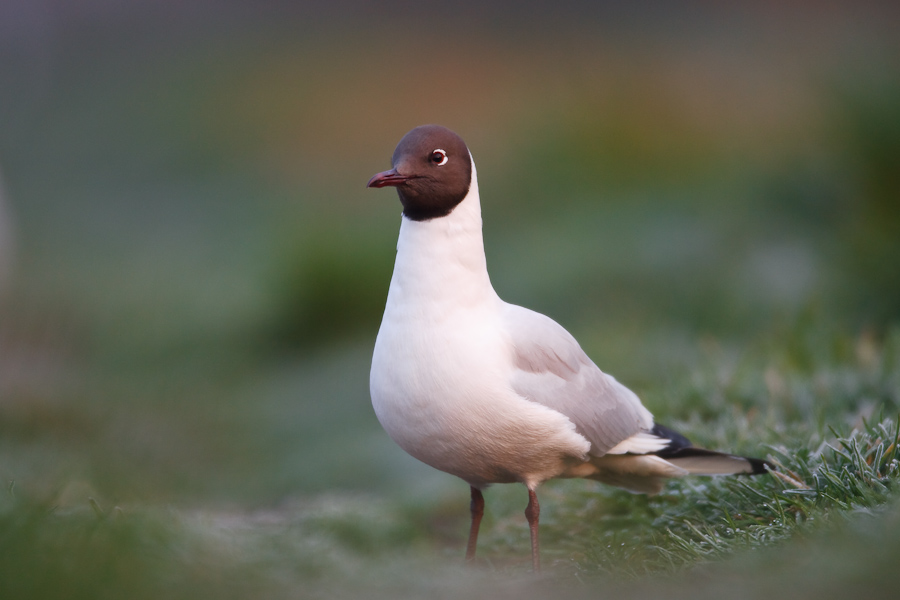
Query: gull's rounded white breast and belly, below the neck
442	393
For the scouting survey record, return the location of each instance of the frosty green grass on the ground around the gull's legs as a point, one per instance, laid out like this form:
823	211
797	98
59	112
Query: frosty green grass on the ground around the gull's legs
837	469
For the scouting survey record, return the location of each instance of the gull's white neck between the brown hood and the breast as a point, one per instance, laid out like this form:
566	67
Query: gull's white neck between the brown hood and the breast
440	262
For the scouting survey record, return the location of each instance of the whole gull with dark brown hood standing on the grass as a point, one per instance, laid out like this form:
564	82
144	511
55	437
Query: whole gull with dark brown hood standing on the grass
489	391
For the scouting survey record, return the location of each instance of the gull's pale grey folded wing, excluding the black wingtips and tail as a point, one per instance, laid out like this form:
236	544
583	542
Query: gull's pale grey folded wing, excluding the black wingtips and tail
553	370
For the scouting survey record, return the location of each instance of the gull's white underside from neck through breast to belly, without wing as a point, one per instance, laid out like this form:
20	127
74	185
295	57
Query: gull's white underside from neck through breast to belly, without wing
441	370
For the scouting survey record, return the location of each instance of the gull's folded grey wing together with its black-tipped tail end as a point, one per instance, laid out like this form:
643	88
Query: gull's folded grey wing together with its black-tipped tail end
628	449
